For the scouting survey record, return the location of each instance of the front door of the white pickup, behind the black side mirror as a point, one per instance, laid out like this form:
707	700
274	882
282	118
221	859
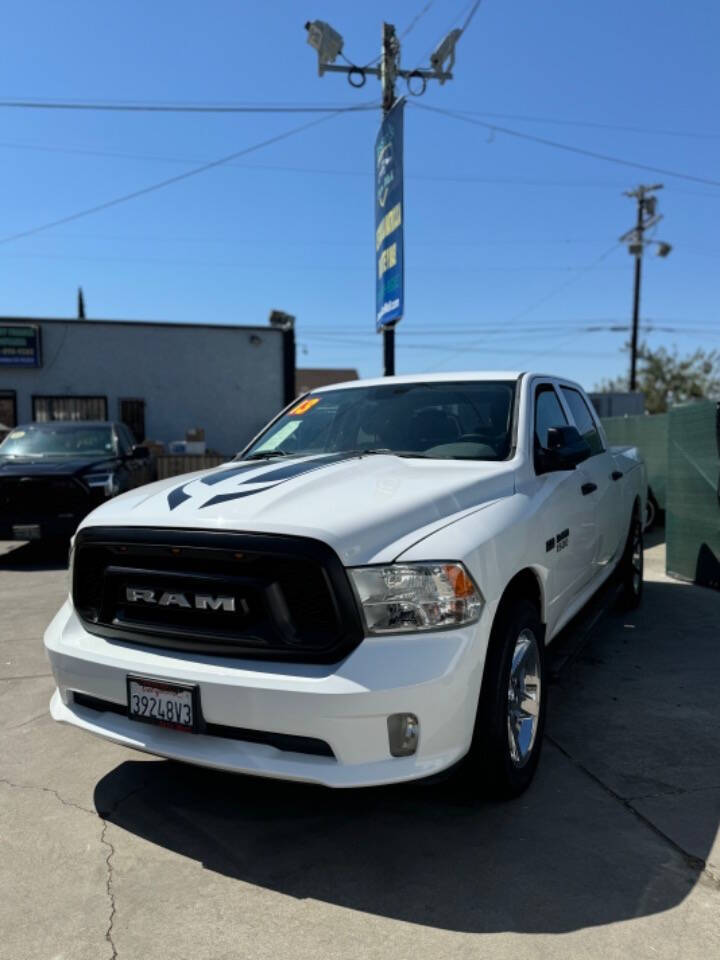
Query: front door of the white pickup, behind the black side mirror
567	517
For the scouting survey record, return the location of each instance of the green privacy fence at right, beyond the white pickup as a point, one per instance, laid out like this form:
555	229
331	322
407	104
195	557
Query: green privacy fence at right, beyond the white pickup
682	452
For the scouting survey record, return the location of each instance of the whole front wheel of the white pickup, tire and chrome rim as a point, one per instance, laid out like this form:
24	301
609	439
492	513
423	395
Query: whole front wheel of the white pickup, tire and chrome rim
513	701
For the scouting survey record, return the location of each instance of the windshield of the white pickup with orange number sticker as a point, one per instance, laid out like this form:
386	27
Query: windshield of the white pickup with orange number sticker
465	420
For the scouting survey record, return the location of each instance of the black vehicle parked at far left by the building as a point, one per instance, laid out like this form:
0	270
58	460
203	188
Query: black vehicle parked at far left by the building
53	474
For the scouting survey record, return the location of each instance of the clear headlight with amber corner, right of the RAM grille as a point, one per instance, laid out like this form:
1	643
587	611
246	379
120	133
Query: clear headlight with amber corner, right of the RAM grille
407	597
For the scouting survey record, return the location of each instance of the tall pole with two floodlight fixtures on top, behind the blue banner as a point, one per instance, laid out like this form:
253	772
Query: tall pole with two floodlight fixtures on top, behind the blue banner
329	45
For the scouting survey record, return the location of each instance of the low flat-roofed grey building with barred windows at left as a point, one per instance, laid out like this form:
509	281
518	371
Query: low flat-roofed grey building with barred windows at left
162	379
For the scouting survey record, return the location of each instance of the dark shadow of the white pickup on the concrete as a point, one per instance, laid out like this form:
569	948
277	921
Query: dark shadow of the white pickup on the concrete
573	852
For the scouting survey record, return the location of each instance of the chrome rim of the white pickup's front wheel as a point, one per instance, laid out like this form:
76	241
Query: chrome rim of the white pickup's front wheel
524	691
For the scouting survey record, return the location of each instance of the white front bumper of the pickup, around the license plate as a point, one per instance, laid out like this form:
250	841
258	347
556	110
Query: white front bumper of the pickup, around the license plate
436	676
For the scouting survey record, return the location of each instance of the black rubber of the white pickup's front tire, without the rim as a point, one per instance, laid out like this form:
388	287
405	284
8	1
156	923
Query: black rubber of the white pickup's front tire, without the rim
489	769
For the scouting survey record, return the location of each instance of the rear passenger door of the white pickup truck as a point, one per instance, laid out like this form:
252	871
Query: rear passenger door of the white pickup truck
601	481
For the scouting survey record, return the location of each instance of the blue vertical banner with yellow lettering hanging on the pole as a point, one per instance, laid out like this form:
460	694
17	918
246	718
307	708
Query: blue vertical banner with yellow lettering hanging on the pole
389	266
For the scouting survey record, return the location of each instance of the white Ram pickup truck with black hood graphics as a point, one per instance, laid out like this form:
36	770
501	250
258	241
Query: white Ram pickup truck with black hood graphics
364	595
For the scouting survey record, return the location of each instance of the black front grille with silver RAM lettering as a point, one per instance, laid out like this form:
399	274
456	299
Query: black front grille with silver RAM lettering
237	594
